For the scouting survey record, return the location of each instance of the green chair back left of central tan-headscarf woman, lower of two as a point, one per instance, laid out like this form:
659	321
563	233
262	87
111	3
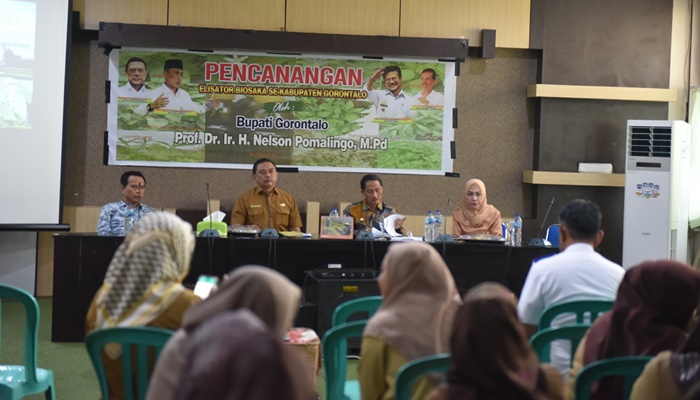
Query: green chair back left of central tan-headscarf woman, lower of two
335	356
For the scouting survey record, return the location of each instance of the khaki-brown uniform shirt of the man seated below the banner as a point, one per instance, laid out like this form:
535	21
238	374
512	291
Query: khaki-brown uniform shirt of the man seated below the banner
279	210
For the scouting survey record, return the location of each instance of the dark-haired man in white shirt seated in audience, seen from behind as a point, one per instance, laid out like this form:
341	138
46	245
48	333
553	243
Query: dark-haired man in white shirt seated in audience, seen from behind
578	272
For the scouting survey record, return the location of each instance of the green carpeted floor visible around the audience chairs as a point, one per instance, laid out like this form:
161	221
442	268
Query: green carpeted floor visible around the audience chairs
73	373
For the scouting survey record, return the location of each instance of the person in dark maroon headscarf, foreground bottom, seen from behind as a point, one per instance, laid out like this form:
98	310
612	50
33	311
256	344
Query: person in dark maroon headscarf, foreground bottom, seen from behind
233	356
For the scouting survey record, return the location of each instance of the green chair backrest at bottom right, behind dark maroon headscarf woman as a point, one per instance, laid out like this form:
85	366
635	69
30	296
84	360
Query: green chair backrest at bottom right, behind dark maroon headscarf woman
629	368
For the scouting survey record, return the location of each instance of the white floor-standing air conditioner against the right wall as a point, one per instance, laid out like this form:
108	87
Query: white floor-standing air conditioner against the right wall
657	166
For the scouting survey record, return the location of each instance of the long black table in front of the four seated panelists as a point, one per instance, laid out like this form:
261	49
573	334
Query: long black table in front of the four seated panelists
81	261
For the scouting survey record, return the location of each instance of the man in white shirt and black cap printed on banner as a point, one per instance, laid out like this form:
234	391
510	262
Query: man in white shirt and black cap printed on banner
170	97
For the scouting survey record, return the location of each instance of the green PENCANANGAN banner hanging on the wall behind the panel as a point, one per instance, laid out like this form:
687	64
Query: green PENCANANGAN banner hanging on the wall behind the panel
324	113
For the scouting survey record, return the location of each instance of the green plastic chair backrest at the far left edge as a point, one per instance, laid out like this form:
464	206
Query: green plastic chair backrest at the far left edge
31	329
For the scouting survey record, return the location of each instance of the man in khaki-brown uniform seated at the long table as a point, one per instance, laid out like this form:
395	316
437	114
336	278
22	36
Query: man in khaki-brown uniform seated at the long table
266	206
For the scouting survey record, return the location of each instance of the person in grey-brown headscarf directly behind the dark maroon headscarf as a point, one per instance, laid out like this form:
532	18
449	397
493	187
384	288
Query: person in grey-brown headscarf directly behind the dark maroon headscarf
266	293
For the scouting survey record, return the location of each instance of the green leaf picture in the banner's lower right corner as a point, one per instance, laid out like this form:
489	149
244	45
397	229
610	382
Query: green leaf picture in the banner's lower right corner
411	155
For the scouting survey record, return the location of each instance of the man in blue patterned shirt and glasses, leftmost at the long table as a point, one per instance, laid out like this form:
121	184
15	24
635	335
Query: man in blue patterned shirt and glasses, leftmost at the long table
111	220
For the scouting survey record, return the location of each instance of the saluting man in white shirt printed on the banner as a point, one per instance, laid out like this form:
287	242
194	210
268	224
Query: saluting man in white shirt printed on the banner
391	102
